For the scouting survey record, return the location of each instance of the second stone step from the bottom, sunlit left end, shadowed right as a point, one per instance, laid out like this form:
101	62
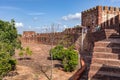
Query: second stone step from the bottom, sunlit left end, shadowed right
105	68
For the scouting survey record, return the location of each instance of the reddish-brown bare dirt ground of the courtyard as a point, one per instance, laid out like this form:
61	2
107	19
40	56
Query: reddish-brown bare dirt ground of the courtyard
38	65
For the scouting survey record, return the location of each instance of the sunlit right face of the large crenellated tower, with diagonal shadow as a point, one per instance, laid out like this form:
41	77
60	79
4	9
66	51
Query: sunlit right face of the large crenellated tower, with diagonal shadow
109	16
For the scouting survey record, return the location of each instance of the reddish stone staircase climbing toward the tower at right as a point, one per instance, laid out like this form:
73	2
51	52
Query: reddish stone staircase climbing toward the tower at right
105	63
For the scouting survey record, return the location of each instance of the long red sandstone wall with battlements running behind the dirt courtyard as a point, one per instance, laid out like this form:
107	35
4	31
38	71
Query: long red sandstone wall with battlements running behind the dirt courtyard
48	38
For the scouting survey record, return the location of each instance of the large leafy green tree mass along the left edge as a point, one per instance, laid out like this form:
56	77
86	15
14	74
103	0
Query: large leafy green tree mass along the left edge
8	43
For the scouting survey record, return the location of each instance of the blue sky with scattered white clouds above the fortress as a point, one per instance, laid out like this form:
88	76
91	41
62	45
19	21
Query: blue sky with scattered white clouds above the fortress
39	15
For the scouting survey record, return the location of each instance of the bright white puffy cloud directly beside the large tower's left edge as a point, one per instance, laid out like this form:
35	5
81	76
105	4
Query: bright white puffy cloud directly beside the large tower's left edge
76	16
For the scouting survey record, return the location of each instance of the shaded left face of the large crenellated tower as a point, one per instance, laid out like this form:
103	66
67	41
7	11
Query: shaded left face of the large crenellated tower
91	17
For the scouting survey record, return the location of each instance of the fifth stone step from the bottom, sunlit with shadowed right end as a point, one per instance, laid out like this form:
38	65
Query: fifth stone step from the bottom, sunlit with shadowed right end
107	49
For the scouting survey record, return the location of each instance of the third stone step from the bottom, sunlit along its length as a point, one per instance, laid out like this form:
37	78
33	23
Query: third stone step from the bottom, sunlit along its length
110	62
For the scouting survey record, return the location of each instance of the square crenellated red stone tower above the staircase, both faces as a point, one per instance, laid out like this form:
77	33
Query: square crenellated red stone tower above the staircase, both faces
100	15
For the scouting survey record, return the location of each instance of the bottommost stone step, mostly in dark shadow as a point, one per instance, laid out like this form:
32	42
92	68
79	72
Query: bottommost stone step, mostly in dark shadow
103	75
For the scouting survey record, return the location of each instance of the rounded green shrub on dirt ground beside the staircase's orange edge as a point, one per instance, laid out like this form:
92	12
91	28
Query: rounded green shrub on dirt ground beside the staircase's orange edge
69	57
